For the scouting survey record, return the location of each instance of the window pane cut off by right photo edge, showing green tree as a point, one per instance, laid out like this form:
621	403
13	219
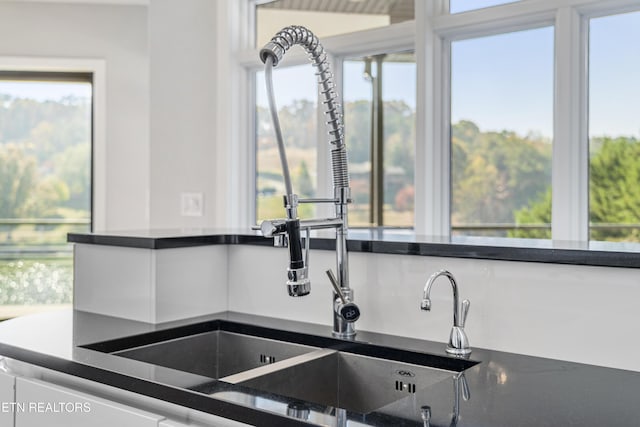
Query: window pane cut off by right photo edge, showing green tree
614	128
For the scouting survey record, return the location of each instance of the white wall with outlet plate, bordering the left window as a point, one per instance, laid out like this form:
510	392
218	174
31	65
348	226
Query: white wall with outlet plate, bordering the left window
160	61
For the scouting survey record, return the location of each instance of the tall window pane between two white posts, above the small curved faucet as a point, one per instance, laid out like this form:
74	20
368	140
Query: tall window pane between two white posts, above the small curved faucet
501	131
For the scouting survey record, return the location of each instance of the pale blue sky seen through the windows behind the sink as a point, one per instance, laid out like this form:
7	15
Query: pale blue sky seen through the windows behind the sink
513	90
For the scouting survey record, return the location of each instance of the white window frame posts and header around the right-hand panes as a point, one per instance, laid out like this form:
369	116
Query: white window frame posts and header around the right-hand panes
430	35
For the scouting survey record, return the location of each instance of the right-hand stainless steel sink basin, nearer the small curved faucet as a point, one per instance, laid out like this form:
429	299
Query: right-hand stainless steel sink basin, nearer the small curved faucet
354	382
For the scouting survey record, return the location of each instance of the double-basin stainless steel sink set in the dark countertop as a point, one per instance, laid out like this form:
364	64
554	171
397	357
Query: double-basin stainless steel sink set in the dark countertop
318	370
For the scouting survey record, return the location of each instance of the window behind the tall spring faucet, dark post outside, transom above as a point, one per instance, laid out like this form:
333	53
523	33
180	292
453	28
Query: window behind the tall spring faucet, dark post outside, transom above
393	76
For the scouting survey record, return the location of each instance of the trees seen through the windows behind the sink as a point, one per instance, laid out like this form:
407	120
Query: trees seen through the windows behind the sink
498	178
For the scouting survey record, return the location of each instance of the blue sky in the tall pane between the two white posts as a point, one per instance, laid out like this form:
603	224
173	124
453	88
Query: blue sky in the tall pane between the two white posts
513	89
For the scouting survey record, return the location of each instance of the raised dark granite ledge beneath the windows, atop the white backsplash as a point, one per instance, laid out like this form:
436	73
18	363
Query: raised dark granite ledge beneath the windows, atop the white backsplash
389	242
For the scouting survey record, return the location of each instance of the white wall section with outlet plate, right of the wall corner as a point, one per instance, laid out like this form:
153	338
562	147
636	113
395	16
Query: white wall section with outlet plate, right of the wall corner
182	37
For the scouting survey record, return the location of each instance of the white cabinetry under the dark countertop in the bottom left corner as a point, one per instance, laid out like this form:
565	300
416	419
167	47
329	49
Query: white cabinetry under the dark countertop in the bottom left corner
33	397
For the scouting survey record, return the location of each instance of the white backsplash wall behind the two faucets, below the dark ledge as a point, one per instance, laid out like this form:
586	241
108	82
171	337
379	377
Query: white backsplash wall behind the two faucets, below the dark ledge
582	314
